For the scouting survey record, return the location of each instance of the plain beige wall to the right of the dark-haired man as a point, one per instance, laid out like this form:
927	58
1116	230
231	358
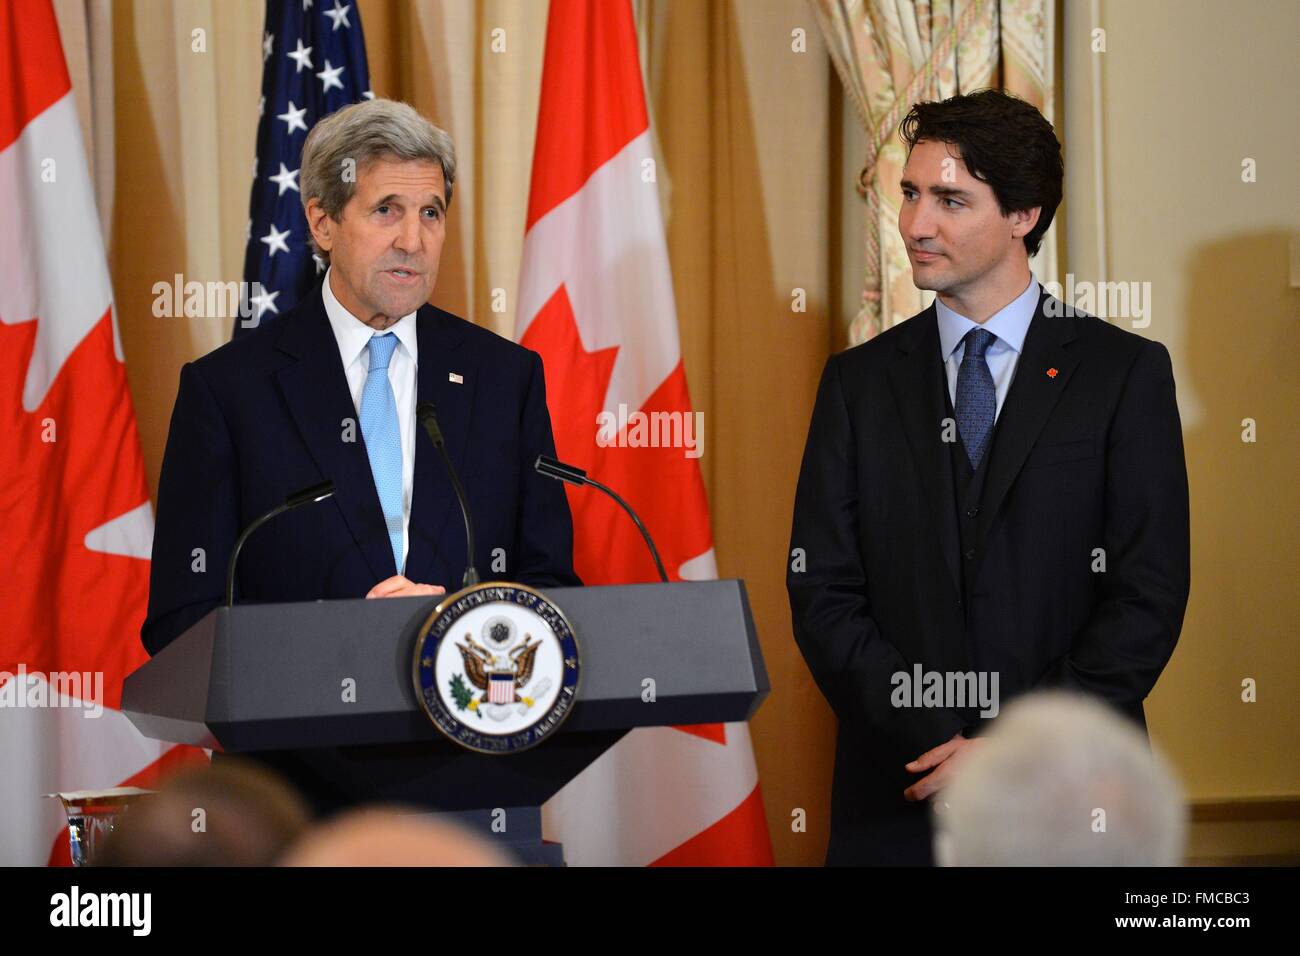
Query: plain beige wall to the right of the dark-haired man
1190	90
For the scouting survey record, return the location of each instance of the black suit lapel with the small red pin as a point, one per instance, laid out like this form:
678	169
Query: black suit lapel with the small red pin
1042	375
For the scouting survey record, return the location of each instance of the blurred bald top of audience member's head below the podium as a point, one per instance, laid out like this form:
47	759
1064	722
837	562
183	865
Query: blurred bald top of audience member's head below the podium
392	838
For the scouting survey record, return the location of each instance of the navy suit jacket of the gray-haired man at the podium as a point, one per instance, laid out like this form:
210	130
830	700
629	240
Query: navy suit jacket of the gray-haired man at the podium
271	414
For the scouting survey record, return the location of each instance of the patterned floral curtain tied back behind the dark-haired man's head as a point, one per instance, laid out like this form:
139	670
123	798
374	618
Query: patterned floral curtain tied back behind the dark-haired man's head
892	54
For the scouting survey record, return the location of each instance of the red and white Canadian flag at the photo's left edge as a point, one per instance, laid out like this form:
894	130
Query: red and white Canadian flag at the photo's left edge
76	524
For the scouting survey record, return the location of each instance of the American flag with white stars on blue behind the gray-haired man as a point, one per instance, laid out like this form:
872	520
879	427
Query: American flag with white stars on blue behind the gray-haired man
314	63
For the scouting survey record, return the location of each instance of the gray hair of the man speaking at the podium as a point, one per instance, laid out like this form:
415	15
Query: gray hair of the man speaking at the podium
346	141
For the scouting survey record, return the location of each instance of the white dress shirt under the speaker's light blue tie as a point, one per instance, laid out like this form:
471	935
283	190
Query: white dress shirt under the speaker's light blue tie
354	338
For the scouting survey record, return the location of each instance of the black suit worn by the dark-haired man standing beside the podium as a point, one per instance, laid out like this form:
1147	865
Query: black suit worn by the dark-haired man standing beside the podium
1087	453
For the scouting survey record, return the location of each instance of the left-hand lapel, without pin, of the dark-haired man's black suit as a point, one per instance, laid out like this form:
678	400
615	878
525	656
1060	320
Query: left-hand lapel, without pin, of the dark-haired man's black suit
918	384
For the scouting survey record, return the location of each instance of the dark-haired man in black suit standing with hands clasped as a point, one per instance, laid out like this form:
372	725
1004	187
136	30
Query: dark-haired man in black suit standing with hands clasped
995	487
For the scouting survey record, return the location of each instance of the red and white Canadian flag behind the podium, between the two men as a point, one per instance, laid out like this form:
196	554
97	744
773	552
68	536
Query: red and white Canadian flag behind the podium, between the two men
596	301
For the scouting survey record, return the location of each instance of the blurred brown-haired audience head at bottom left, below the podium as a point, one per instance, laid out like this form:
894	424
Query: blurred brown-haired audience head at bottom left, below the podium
229	815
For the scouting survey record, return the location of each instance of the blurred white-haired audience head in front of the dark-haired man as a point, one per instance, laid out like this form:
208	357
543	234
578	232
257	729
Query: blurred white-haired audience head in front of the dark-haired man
1061	781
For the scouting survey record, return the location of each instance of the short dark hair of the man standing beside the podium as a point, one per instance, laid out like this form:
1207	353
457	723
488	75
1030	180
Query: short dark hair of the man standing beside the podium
1004	142
